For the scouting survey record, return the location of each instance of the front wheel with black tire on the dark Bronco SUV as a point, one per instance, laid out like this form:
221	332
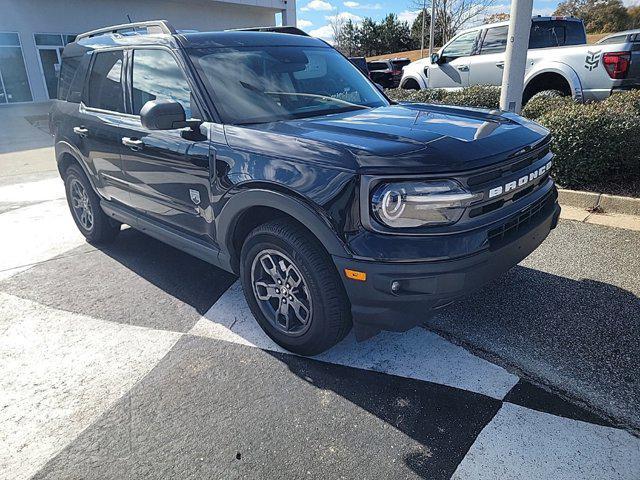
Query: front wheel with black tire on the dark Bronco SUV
283	251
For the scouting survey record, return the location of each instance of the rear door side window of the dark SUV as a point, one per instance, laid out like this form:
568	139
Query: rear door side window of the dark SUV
105	82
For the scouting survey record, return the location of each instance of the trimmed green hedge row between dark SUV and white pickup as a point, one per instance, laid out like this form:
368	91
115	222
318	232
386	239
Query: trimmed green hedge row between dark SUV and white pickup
597	145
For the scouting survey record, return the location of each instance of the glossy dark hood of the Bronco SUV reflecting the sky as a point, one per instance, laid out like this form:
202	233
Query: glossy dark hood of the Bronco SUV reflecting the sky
397	138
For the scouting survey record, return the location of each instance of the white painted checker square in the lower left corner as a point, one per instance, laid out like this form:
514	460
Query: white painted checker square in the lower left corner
60	372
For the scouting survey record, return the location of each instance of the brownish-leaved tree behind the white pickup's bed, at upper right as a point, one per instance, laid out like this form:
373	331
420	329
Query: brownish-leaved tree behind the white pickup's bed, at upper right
599	16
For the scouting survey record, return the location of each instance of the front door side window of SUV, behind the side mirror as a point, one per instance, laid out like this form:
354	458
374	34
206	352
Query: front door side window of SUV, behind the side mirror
157	75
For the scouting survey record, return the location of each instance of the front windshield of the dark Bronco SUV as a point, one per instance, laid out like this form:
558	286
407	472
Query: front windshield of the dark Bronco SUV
266	84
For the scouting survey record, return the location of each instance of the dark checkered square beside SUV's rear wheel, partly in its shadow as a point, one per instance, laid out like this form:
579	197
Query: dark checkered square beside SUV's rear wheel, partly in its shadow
136	280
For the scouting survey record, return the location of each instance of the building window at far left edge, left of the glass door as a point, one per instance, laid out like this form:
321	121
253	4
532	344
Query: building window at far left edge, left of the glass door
14	83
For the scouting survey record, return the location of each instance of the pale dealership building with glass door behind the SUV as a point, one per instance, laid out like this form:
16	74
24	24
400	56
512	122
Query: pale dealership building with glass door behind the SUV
34	32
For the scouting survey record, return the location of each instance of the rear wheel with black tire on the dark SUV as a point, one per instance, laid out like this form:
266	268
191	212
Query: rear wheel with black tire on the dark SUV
85	208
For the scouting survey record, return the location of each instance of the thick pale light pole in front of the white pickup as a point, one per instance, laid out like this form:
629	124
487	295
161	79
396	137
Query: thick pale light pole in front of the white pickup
516	56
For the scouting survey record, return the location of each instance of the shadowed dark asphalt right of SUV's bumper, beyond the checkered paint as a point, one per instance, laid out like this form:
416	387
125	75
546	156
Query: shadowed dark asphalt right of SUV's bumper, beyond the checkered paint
577	336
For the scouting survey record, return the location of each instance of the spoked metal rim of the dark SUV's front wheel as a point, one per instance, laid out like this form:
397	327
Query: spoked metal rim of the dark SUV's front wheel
281	292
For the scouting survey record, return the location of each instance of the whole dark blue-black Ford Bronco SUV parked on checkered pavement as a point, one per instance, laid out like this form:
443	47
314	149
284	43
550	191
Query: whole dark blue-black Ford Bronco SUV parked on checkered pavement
271	156
